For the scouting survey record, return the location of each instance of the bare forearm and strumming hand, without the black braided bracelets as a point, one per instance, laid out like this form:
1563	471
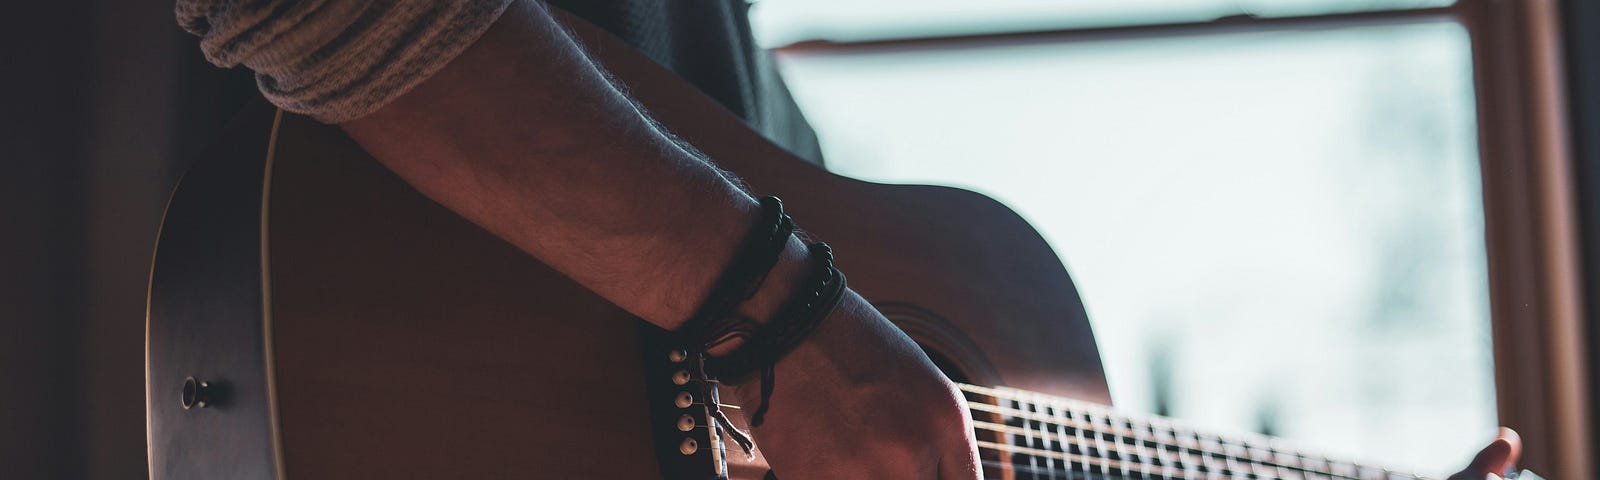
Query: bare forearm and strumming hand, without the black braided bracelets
527	138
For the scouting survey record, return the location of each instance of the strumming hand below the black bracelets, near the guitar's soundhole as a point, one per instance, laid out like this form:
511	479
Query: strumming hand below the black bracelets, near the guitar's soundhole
860	401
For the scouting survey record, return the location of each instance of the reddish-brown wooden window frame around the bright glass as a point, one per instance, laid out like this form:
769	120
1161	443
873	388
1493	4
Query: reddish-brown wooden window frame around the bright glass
1530	202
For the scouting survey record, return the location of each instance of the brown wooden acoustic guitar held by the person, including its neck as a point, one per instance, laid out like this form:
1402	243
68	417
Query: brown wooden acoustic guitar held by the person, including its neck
314	318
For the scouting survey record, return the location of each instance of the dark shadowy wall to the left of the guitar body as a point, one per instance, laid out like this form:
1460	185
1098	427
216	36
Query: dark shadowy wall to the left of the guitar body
103	103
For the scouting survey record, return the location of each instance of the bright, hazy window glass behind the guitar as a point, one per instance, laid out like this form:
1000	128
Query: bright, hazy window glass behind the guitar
1273	228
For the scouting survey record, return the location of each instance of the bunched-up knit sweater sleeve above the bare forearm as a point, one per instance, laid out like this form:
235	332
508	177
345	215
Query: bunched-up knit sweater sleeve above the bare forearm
337	60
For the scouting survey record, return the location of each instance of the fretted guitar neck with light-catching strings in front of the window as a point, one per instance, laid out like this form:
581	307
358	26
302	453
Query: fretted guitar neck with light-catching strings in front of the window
1031	436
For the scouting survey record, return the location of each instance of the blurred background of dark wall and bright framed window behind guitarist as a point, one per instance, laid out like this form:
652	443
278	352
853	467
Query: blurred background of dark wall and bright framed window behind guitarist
1361	225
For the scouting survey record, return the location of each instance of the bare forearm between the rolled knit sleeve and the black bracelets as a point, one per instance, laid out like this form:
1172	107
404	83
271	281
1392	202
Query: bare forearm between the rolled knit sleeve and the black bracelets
527	138
